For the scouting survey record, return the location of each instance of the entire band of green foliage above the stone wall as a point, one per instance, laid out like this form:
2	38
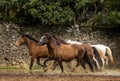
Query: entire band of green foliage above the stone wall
61	12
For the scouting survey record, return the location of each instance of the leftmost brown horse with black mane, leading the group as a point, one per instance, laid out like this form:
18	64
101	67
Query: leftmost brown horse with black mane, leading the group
35	51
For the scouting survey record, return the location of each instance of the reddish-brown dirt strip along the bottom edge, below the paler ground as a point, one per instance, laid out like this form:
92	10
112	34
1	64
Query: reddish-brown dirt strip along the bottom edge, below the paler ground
58	78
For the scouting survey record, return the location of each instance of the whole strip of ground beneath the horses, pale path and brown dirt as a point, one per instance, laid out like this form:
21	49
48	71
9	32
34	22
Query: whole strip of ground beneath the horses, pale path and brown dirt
21	75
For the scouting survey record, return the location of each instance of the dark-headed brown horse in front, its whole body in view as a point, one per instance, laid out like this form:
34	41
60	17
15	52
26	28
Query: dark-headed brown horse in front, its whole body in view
64	52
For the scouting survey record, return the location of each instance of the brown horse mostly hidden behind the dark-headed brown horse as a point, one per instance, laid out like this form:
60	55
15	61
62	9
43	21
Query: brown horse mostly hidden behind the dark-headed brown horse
92	52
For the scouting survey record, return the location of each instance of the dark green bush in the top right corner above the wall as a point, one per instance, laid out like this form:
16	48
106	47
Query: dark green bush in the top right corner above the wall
110	15
